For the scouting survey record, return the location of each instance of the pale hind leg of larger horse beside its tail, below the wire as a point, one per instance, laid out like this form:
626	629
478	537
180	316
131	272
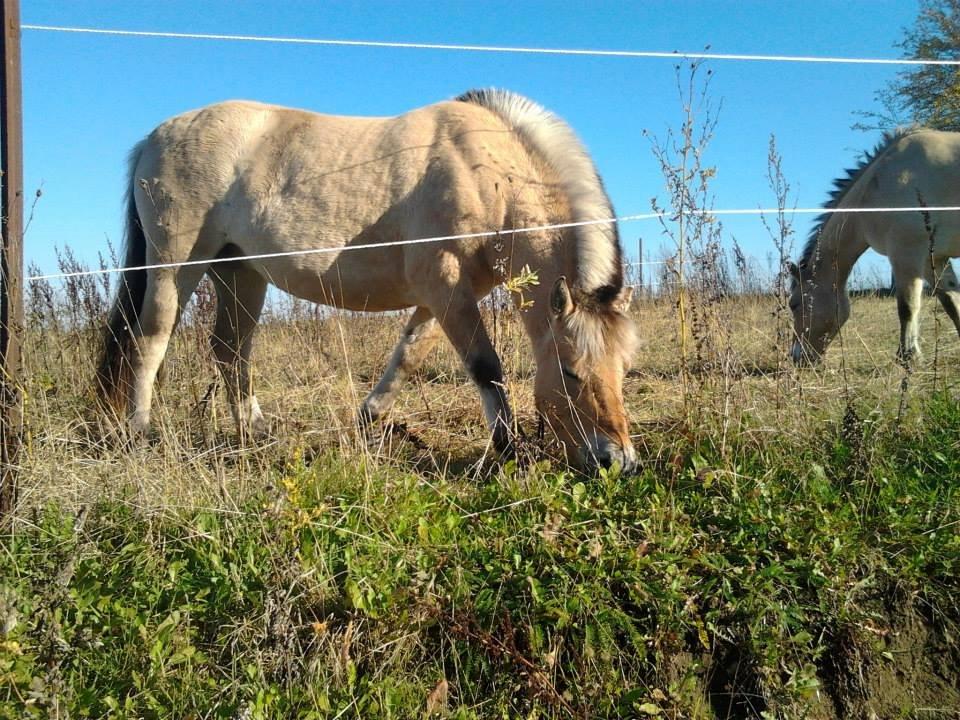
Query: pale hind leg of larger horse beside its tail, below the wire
168	290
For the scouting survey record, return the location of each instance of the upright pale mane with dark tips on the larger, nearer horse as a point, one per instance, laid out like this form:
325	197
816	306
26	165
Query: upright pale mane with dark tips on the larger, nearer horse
598	252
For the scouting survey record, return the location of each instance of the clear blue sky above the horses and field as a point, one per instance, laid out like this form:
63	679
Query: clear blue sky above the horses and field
88	99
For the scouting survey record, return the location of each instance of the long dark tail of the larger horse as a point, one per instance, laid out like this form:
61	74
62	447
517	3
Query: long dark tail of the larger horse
114	367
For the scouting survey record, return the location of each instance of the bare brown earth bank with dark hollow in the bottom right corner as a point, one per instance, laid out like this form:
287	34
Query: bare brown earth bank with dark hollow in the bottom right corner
897	664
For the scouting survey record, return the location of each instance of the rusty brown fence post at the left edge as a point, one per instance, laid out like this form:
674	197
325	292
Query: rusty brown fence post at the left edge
11	258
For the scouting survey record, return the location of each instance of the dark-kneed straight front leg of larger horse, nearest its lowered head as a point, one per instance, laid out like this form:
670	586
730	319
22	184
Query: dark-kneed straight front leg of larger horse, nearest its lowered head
460	319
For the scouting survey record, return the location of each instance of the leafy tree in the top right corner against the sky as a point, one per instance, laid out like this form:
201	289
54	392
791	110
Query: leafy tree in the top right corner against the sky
924	94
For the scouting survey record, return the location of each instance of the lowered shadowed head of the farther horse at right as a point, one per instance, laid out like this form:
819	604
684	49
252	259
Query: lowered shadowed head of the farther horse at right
819	310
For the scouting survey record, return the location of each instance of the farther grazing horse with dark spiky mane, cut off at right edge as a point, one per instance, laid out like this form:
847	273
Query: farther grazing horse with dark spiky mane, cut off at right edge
909	168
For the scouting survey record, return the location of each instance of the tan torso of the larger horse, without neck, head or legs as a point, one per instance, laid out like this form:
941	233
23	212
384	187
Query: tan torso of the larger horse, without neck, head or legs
268	179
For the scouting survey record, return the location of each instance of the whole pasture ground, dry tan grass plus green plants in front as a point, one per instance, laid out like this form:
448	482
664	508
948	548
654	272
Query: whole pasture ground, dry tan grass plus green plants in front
790	547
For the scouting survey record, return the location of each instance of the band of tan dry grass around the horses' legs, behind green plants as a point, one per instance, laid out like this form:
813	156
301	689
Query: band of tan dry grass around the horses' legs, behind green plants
312	369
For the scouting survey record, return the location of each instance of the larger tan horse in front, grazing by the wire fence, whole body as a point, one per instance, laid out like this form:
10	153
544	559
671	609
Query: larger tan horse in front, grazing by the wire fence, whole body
240	179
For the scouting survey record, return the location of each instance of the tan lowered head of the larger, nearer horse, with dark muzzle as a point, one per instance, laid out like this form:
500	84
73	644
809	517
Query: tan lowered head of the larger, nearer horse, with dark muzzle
581	361
